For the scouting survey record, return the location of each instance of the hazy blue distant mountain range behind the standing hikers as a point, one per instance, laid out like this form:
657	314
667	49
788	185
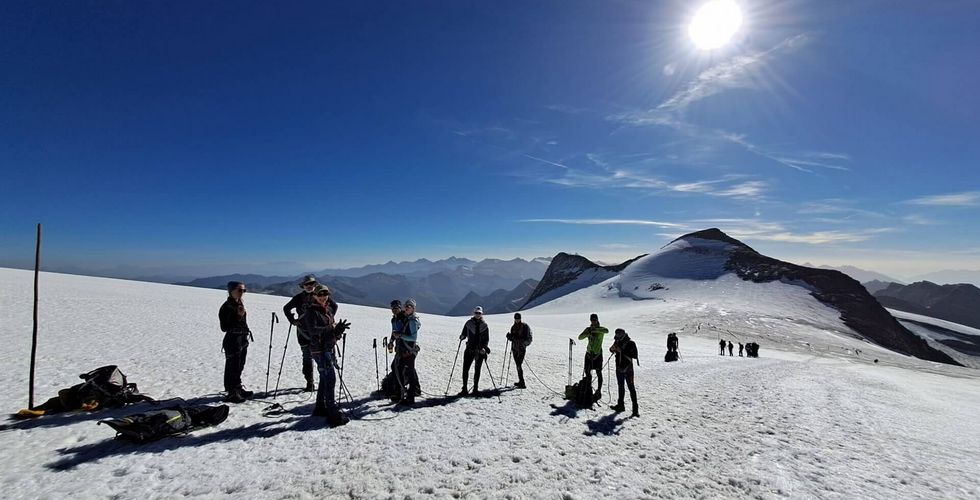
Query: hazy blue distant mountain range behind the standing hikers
445	286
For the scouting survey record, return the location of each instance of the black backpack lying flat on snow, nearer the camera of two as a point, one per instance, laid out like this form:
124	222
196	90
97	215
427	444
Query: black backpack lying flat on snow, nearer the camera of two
153	425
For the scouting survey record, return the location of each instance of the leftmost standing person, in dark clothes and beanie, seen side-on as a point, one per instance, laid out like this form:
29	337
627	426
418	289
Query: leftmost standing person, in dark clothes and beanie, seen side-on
233	320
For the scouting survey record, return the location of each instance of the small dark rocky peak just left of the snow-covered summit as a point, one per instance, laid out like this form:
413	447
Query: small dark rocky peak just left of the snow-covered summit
568	273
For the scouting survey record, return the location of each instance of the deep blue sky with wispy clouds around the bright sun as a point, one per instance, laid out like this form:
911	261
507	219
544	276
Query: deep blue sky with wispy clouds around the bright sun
204	138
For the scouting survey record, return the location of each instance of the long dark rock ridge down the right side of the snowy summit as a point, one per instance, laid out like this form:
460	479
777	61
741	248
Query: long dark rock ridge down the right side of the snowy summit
858	309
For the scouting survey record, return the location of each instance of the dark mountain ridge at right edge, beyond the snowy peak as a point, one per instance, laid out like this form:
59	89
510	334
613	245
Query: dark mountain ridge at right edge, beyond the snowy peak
956	303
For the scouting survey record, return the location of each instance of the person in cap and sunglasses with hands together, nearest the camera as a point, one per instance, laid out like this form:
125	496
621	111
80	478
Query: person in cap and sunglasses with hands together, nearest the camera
323	331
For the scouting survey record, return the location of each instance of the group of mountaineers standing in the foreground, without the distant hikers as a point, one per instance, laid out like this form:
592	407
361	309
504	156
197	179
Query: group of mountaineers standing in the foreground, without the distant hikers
313	313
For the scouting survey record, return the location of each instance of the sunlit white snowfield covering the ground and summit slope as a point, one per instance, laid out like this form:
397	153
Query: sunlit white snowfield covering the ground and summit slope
814	416
